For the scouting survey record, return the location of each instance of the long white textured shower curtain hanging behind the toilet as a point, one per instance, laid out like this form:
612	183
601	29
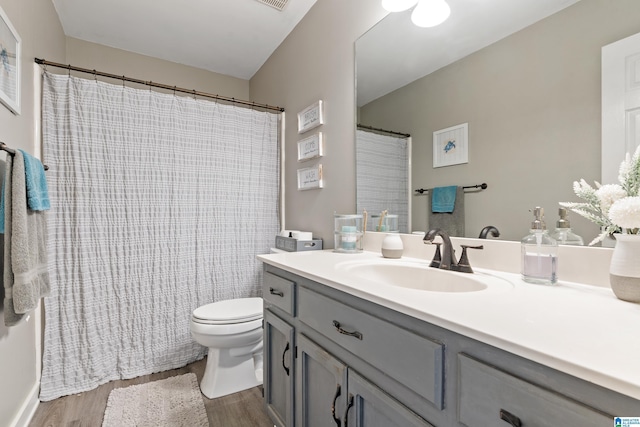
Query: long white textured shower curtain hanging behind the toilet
160	204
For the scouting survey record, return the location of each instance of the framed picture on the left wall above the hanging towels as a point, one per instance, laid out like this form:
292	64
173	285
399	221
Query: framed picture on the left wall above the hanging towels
9	65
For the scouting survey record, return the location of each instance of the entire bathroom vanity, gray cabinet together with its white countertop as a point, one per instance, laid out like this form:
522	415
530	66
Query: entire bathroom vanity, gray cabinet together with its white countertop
342	349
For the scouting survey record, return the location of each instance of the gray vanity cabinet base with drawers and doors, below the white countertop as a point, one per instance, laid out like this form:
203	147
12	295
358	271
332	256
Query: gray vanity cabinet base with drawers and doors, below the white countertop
362	364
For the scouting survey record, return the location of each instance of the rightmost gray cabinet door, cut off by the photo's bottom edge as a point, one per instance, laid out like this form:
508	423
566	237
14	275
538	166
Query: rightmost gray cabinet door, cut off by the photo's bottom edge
368	406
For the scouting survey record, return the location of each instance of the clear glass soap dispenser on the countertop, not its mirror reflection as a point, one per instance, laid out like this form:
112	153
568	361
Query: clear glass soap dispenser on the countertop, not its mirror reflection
539	253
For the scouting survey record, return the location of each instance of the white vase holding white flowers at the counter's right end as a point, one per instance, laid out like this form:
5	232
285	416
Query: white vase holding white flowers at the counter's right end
624	272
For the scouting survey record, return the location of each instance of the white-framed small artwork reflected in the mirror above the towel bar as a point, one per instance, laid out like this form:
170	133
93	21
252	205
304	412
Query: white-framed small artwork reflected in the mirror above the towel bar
451	146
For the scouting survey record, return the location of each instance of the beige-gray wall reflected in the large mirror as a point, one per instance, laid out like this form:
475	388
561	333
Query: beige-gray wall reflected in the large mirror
532	102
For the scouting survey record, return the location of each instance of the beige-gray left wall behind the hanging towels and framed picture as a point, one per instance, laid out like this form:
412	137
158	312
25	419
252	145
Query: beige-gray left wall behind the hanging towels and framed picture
37	25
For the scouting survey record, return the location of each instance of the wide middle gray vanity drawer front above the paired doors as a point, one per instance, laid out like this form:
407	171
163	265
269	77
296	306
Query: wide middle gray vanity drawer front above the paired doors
412	360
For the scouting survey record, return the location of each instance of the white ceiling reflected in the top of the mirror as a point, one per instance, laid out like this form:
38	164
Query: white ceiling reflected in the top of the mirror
395	52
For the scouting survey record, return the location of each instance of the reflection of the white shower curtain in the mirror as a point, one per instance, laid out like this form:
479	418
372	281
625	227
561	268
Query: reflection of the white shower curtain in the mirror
382	175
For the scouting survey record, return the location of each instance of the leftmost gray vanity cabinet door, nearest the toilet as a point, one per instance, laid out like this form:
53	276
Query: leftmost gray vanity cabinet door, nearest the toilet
279	375
